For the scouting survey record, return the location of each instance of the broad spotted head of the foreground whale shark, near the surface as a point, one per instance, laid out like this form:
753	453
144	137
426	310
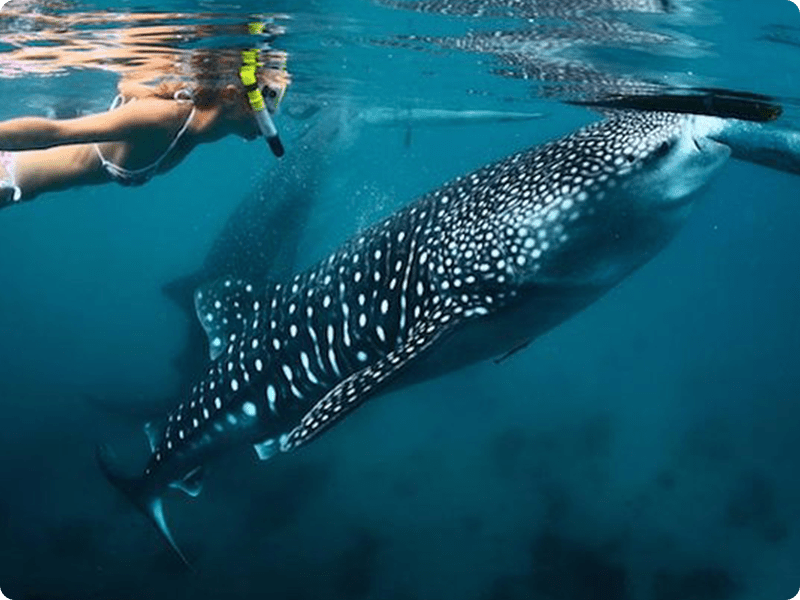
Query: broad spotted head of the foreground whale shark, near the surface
609	196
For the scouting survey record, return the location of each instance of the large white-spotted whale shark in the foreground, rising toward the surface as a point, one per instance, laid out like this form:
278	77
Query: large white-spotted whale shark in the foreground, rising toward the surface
472	270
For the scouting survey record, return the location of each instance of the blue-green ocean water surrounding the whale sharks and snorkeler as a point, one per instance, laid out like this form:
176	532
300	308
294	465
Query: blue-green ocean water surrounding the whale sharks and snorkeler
642	450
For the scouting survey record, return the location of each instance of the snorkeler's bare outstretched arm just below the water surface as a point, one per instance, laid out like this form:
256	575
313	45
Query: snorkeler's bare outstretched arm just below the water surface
32	133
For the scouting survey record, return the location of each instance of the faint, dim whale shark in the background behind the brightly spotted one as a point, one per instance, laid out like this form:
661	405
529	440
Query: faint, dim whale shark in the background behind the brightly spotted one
261	237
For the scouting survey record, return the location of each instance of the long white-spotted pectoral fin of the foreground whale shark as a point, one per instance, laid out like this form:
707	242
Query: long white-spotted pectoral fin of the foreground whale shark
354	390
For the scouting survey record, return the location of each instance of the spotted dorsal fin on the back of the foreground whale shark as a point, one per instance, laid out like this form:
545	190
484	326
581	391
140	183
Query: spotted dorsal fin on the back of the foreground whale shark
224	308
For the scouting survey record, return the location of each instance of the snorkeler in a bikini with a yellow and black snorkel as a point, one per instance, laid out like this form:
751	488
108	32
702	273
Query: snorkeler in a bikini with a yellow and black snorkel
147	130
